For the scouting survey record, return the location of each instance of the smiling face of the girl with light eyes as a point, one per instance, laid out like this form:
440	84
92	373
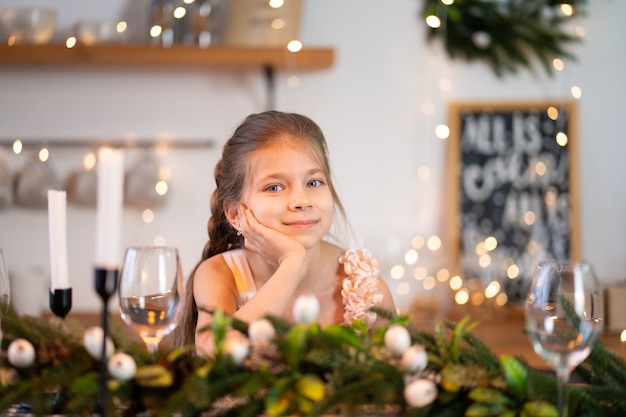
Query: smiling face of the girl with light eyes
289	192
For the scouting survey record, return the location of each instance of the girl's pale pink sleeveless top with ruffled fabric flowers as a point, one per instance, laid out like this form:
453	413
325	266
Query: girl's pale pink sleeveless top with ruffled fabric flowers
359	288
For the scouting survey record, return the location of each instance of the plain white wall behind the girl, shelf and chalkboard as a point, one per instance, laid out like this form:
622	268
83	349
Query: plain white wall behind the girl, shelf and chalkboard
369	105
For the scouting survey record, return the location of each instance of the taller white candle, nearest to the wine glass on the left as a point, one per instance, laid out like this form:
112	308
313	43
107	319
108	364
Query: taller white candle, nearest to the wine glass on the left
110	169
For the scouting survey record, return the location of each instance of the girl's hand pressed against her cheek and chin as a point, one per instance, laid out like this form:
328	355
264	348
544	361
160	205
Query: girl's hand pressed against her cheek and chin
270	243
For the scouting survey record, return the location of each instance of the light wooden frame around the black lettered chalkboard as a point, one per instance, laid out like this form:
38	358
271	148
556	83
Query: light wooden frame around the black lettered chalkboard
452	198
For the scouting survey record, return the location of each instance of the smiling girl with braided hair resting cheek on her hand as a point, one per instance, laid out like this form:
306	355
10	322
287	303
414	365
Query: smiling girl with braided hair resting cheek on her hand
272	217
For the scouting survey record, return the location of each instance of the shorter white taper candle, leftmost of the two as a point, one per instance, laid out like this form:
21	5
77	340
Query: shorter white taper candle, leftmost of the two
57	207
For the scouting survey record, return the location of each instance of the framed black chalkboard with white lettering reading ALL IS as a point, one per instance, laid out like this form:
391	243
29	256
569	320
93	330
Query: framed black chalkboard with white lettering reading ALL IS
513	187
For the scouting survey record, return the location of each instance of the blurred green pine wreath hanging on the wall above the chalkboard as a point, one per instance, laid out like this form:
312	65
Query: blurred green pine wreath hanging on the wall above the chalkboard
507	34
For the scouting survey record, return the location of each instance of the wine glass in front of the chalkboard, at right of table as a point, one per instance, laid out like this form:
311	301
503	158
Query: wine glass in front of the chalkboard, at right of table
564	316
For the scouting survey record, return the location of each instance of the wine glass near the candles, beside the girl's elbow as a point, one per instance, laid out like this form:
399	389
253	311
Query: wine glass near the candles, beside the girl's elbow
151	292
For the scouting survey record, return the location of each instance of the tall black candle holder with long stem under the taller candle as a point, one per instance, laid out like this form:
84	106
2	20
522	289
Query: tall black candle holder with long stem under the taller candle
106	285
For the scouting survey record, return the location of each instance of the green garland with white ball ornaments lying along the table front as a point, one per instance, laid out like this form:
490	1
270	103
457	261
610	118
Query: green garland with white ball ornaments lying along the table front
274	368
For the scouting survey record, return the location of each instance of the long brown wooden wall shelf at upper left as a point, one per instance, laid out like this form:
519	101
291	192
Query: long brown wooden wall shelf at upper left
175	56
